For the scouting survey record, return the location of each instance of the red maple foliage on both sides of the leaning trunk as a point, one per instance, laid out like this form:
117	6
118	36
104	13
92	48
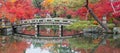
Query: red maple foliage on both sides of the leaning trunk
101	8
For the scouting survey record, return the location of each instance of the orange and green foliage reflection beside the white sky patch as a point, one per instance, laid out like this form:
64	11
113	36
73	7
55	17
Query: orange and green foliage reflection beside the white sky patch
55	47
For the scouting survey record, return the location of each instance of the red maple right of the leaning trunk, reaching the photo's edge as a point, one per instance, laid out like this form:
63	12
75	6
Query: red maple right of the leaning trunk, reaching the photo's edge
105	8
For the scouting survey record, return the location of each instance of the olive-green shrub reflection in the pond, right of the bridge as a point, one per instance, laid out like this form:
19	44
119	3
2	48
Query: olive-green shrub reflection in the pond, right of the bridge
85	43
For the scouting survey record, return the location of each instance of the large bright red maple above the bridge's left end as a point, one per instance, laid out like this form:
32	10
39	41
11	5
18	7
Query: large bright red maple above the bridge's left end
18	9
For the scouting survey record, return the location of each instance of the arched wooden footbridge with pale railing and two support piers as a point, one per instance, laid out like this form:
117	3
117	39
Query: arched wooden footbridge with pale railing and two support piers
37	23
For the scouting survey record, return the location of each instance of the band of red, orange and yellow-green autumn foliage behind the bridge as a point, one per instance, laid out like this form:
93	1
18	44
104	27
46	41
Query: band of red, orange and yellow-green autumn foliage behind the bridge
23	9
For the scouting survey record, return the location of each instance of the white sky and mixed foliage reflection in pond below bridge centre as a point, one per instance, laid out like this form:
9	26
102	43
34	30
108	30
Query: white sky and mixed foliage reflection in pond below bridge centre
50	46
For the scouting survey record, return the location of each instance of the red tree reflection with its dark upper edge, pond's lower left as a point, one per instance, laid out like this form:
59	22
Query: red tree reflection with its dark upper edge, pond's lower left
10	45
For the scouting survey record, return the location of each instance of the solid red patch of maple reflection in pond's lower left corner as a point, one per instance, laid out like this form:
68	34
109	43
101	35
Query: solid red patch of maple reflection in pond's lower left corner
14	47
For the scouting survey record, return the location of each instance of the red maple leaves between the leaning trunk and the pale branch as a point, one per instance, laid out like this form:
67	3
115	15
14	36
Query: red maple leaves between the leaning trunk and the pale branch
101	8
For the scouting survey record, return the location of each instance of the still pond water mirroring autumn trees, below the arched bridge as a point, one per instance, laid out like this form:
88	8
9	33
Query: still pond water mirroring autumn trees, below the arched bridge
16	44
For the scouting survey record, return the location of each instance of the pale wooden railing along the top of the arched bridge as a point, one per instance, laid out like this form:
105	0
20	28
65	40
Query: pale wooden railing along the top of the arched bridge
47	21
